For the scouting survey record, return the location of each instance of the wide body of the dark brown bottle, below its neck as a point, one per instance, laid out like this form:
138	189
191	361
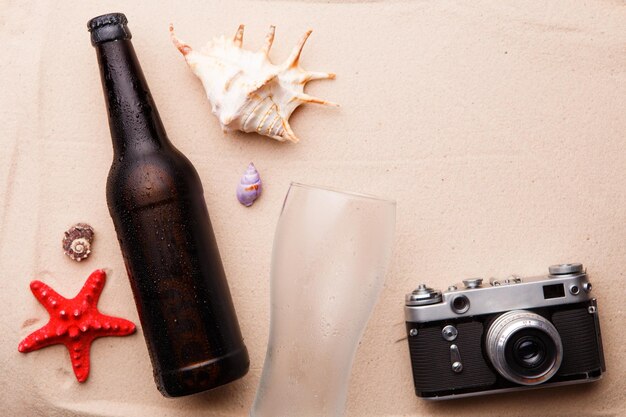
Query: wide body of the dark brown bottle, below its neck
178	282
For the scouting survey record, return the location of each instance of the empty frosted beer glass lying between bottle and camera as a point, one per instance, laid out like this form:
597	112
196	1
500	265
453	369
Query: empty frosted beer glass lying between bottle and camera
331	251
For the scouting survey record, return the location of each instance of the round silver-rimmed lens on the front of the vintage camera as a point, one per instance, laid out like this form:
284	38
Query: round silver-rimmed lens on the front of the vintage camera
524	347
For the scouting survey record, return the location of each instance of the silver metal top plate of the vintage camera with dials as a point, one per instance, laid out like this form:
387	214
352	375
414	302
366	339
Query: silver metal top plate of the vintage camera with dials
564	284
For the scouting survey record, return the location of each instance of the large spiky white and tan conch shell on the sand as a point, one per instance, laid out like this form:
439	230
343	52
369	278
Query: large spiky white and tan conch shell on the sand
246	90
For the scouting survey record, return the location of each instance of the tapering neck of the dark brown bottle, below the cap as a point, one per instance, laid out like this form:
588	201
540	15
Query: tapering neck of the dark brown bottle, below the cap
133	117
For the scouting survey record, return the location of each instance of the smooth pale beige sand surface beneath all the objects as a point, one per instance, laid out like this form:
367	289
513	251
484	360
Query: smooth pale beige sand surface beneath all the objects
497	126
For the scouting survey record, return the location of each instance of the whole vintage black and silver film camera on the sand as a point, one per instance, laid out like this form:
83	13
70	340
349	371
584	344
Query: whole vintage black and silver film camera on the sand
511	334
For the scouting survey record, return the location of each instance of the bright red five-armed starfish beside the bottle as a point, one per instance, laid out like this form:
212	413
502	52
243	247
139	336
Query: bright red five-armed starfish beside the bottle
75	322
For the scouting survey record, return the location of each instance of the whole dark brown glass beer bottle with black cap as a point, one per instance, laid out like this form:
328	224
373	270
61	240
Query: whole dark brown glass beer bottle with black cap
156	200
